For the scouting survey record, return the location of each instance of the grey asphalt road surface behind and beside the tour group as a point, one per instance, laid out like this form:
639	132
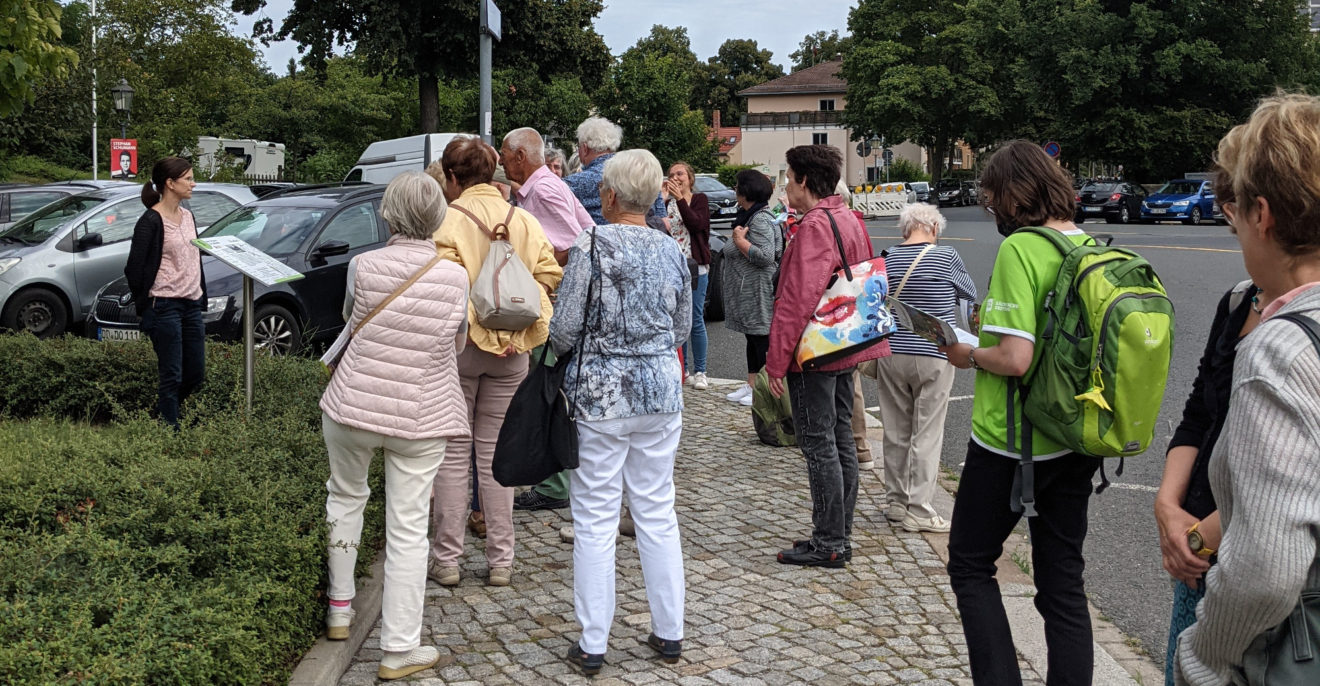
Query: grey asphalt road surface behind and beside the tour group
1198	265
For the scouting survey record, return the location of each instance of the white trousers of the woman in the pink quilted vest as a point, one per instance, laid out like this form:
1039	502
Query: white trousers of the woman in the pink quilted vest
410	473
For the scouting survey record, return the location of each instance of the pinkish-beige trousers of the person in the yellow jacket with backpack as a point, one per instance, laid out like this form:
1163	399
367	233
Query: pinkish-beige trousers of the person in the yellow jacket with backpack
489	385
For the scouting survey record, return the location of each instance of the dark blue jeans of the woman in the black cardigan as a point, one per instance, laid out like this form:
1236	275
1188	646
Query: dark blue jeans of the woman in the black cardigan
179	337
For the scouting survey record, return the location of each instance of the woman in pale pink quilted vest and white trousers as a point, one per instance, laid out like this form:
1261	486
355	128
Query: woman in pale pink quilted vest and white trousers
397	390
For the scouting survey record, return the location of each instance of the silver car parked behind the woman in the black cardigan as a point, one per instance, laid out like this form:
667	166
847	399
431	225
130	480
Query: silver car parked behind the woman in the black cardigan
55	261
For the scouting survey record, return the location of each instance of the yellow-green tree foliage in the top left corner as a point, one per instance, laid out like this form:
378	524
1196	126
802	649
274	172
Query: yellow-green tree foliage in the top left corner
31	52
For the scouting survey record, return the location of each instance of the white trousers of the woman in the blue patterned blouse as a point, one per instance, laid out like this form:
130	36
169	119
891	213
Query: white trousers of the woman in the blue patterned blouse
633	456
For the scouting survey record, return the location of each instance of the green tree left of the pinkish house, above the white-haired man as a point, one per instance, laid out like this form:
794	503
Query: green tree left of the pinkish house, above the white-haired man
647	97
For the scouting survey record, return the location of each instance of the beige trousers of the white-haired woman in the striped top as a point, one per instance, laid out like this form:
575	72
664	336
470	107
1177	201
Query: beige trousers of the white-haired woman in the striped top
914	402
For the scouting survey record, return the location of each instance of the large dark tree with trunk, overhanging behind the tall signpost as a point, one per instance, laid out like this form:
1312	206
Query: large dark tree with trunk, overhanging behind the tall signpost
434	40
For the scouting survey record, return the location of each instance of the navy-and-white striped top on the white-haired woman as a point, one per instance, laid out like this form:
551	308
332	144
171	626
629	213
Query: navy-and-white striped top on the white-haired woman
937	286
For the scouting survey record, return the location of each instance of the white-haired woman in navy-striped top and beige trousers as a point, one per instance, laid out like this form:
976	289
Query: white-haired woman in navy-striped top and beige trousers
917	379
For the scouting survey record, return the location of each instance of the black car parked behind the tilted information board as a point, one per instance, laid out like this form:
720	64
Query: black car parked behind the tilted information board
313	230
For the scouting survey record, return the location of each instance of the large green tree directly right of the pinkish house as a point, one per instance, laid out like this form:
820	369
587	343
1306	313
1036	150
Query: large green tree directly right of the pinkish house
915	73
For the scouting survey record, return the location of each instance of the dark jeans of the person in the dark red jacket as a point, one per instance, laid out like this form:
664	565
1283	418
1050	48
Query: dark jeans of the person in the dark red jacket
823	414
